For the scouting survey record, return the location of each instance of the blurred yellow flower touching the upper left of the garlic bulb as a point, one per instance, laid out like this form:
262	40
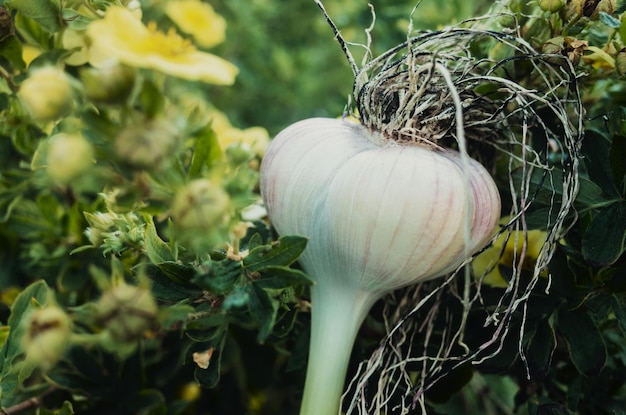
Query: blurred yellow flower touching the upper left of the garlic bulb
255	138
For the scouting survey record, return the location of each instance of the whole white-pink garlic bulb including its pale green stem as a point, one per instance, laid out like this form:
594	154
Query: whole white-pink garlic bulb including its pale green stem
379	215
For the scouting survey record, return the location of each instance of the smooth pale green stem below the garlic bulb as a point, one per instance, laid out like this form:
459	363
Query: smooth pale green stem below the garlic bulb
337	314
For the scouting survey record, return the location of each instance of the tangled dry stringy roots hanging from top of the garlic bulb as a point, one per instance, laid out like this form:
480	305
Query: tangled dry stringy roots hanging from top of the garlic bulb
521	107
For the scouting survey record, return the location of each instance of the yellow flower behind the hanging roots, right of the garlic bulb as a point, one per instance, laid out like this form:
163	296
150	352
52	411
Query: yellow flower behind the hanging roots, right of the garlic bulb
498	255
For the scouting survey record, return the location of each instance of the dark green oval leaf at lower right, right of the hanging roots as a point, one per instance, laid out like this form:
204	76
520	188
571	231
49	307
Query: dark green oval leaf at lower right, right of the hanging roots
584	341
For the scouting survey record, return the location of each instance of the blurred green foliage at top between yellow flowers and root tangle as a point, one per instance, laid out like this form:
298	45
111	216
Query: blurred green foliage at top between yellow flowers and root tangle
291	66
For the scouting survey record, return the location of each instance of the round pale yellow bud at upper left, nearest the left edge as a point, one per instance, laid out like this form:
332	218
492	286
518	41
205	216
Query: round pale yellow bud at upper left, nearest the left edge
47	94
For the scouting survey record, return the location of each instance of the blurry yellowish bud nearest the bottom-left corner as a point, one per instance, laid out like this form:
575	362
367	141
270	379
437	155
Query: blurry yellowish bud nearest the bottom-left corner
47	336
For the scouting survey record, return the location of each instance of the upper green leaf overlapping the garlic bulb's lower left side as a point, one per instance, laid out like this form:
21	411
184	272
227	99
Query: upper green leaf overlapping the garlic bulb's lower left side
285	251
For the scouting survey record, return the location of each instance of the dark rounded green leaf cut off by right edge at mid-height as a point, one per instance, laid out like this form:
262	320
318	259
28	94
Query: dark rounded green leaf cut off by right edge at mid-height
603	240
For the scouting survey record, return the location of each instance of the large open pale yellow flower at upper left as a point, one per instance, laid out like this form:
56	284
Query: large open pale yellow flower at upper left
121	36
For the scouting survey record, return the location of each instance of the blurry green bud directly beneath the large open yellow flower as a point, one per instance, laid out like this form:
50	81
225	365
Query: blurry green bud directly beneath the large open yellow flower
109	84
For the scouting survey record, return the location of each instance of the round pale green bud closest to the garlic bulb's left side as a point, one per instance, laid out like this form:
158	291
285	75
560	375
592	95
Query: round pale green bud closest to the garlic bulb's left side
200	206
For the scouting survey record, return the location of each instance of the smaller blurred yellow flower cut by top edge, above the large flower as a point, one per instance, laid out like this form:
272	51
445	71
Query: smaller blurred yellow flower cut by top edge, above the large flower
199	20
